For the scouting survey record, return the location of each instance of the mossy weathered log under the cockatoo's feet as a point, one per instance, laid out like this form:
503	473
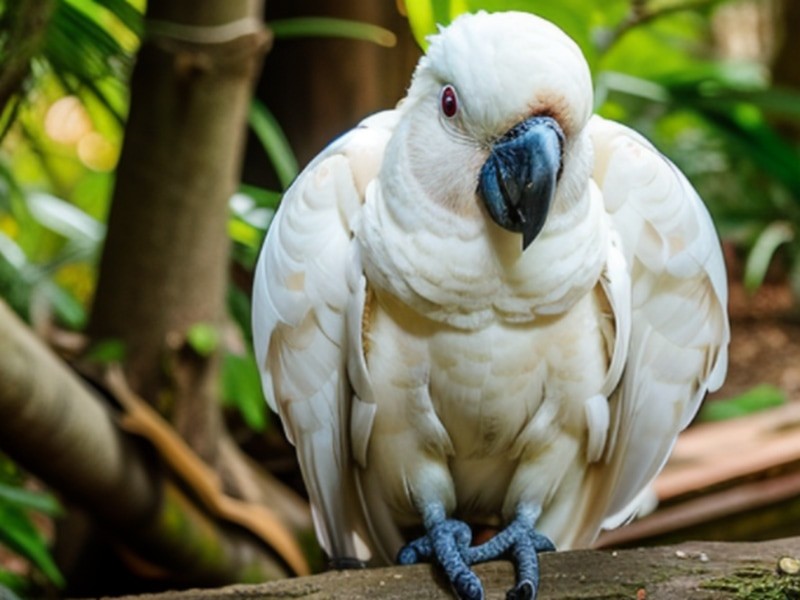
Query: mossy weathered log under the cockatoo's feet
688	571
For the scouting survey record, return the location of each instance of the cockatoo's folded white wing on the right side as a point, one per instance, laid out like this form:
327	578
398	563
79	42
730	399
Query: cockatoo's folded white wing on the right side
678	317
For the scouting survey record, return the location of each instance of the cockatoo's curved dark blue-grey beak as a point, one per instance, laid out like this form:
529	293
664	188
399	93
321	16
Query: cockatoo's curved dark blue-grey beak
518	180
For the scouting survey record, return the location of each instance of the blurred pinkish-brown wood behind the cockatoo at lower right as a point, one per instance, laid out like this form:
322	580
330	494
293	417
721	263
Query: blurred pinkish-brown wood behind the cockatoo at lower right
726	481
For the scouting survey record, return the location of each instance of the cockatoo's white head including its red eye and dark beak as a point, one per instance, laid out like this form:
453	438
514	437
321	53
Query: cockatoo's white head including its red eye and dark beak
498	107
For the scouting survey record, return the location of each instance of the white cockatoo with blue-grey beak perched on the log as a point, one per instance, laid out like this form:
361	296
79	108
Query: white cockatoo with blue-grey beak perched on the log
487	307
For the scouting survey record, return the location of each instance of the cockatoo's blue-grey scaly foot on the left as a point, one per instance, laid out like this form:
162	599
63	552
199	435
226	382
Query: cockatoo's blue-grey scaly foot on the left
447	542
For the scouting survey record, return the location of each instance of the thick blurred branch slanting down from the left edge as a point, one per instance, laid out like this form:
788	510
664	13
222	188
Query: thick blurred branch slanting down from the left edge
55	427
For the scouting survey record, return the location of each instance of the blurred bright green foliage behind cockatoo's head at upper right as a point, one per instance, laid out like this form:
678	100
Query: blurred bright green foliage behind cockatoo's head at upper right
655	69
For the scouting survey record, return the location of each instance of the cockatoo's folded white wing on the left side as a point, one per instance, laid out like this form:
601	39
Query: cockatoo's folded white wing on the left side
302	296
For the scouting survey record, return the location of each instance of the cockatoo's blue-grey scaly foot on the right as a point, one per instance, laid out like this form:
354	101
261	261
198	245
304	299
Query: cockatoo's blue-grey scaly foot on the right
522	542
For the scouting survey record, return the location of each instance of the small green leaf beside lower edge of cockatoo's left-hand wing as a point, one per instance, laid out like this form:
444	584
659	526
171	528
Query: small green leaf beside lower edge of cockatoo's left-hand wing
241	387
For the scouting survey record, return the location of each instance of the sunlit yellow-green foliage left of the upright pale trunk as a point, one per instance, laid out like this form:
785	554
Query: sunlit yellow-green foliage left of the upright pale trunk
60	146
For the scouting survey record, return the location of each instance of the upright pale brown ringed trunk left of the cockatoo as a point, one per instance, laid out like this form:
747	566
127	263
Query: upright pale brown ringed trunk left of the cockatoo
165	263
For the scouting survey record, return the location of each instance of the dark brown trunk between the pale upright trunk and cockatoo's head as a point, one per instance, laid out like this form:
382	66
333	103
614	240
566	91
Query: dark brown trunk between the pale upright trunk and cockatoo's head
319	87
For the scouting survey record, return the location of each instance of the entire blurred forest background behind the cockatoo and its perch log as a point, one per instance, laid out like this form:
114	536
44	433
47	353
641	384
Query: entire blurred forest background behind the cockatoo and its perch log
137	180
